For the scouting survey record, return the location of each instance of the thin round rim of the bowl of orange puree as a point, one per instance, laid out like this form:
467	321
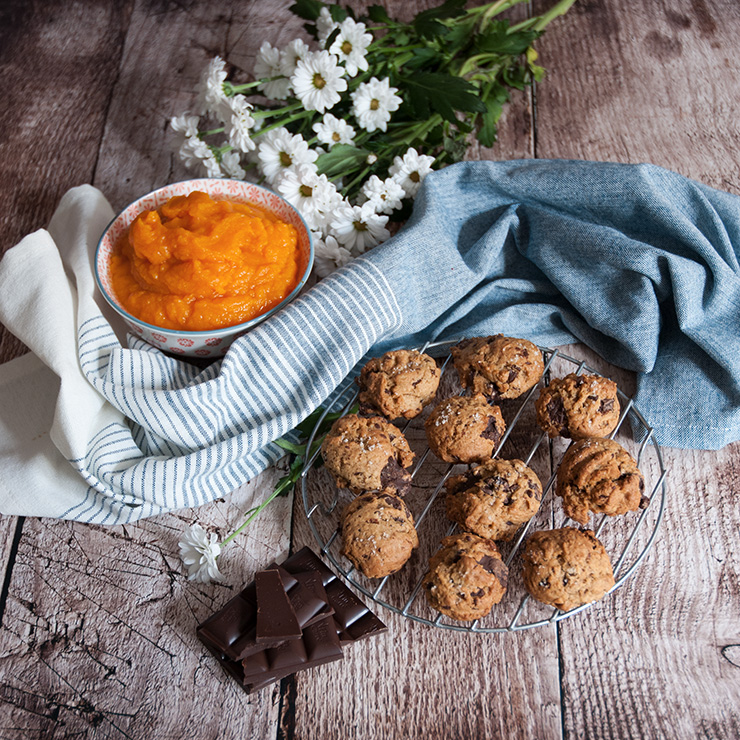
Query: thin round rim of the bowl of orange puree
226	330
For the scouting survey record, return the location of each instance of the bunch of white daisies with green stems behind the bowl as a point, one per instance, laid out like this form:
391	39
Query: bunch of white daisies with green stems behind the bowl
347	122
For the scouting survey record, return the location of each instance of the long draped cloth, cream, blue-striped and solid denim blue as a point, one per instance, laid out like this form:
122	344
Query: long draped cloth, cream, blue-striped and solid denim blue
636	261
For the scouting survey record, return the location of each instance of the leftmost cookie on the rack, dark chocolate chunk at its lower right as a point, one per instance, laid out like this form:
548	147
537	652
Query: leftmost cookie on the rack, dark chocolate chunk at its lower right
367	454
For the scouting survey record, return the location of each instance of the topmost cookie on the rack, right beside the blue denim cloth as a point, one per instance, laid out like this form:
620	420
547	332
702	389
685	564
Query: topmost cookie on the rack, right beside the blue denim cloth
498	366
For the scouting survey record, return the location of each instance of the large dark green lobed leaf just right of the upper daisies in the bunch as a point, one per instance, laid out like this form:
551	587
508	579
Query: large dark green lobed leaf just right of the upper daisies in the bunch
443	93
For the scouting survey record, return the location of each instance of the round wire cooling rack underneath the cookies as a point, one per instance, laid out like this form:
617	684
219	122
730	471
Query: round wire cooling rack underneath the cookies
627	538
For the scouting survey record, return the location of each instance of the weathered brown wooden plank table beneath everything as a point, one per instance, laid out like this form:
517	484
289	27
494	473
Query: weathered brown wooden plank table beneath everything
98	623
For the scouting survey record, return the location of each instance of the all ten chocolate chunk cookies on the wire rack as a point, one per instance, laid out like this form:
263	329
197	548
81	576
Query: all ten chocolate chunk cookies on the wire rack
368	455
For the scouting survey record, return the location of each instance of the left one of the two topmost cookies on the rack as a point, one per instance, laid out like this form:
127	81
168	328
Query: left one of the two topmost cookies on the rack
399	383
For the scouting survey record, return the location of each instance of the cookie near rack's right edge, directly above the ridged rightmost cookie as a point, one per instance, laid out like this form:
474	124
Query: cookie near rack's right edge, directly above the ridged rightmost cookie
578	406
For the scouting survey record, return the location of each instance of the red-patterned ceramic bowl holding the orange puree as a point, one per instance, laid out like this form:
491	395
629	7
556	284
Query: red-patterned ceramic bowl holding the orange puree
215	342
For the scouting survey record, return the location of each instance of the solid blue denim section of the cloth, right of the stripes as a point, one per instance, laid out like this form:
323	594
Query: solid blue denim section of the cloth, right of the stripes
637	262
